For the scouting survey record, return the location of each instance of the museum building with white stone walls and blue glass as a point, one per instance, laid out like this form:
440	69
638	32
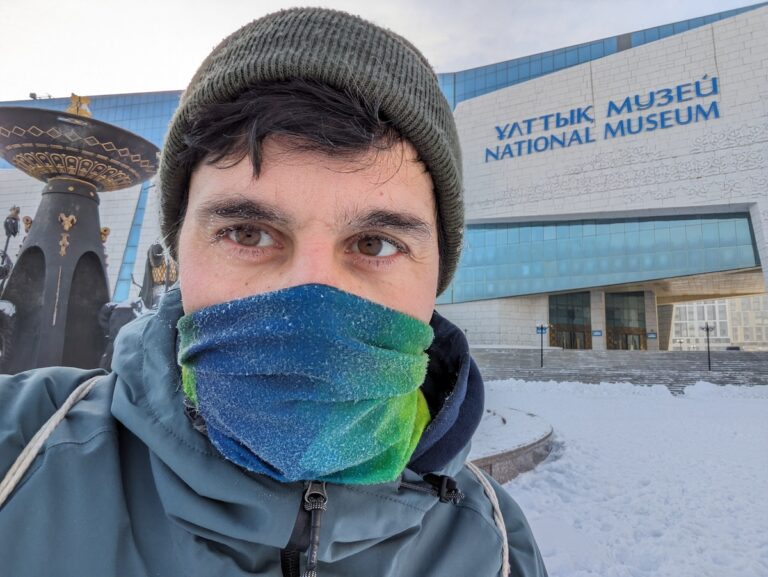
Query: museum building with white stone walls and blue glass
605	183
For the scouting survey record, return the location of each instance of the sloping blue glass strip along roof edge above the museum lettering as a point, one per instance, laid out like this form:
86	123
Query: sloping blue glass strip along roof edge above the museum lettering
460	86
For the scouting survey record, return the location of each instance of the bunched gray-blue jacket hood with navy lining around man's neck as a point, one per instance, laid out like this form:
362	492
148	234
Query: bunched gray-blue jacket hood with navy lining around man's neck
199	489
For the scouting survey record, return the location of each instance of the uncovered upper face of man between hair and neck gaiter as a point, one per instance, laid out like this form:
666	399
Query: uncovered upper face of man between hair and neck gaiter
365	226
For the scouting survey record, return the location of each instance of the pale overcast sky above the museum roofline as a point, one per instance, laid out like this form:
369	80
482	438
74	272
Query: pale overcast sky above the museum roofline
92	47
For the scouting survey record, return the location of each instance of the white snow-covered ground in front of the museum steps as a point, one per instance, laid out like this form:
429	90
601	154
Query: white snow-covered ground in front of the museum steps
645	484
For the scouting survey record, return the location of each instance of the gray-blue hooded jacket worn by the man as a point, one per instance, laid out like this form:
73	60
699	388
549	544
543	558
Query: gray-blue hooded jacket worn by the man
126	486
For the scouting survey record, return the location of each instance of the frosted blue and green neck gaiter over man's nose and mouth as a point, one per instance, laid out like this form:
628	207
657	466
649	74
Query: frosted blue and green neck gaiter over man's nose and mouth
308	383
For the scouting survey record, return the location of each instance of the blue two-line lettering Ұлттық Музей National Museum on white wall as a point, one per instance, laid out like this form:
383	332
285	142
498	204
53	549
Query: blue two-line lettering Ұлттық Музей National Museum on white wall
687	103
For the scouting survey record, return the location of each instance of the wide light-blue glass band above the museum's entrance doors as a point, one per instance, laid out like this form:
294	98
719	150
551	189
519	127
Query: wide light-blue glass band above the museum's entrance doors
504	260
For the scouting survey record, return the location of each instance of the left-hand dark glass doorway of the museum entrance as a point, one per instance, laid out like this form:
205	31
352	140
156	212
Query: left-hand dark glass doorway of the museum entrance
570	321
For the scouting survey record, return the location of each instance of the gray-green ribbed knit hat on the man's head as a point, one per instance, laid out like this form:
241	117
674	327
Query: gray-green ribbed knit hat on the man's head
341	51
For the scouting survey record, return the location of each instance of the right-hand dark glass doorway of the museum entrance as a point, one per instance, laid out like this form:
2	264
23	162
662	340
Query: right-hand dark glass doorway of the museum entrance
625	321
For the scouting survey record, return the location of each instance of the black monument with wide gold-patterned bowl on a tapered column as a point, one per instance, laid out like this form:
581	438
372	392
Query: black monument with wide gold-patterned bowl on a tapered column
59	283
